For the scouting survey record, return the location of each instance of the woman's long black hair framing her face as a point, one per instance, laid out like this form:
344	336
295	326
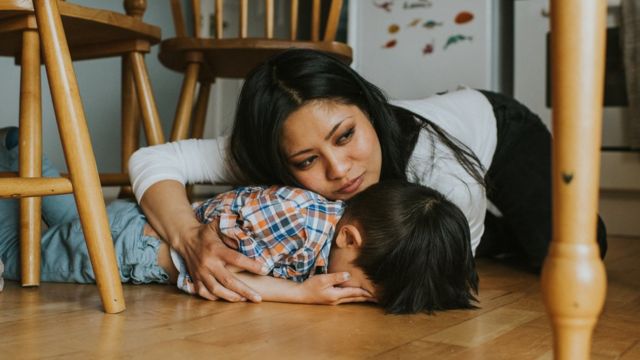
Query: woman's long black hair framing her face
291	79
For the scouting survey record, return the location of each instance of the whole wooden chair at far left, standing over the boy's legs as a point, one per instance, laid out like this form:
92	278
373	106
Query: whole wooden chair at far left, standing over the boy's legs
90	33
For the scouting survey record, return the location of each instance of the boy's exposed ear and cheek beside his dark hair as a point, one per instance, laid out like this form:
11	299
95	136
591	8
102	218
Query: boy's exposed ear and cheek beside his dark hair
344	251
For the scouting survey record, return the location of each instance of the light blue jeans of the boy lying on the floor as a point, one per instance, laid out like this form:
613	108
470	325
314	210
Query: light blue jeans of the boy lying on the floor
64	252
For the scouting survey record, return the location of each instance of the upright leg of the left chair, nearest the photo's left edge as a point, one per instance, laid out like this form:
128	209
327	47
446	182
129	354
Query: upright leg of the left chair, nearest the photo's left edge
30	149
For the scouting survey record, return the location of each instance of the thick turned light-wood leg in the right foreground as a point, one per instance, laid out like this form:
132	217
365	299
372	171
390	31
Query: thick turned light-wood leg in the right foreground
573	276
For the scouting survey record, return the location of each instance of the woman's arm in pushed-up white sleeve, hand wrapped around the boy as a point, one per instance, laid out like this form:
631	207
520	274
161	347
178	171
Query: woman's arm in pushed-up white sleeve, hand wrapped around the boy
158	175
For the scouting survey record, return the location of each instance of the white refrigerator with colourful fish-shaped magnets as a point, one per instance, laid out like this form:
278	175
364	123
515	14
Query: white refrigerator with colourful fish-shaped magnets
413	49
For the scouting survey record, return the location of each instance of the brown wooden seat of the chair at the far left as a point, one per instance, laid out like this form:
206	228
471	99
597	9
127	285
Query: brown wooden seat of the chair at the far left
91	33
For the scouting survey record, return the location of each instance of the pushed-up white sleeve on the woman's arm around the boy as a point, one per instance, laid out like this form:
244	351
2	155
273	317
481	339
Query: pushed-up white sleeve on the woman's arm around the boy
187	161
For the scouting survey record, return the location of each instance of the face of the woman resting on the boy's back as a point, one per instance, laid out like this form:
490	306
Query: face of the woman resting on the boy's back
332	149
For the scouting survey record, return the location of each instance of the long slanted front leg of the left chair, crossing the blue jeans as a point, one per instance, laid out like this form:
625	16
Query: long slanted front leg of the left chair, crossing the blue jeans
79	154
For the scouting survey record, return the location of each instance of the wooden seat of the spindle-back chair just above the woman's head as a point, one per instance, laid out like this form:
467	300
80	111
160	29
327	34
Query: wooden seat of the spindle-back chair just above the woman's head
234	58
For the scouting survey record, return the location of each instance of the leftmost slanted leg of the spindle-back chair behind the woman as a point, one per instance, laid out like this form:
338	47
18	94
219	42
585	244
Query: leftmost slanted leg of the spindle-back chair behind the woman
185	105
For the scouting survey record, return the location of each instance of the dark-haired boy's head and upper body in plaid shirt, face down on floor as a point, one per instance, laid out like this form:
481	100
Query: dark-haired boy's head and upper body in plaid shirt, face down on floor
403	243
